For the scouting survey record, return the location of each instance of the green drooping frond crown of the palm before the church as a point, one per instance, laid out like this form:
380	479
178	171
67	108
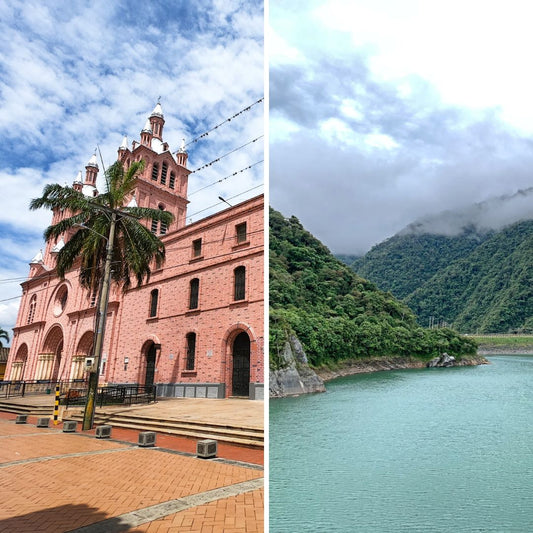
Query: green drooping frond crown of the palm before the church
135	246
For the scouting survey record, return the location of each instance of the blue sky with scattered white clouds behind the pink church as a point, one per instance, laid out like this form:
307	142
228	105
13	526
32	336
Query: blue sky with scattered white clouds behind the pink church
77	74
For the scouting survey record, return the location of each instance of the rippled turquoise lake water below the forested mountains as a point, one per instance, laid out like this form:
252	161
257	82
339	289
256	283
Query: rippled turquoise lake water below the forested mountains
433	450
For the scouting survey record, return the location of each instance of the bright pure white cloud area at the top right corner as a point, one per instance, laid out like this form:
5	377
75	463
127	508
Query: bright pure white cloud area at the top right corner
475	53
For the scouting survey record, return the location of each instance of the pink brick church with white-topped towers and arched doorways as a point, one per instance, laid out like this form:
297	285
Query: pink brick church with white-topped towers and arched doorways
196	329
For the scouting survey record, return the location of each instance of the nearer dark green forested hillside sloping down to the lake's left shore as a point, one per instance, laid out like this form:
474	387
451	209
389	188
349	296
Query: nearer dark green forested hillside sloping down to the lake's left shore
335	313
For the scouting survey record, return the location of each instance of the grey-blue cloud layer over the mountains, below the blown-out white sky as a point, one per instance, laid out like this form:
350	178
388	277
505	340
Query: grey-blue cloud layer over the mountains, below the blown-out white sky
357	157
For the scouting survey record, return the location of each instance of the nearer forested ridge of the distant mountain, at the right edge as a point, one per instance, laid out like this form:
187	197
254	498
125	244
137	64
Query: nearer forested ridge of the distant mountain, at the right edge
489	290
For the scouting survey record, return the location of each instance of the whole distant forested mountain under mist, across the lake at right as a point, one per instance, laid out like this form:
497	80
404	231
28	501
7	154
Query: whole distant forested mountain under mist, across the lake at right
474	283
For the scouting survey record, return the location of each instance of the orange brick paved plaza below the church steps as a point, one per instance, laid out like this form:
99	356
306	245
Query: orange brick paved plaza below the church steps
56	482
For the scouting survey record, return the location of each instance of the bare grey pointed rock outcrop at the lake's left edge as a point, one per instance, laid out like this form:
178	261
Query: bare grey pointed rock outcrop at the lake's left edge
294	377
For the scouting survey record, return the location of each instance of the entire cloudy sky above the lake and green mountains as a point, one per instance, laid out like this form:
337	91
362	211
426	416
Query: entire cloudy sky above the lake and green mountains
382	112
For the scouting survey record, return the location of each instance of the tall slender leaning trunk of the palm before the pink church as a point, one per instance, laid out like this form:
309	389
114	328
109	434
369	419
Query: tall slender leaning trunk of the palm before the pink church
88	416
